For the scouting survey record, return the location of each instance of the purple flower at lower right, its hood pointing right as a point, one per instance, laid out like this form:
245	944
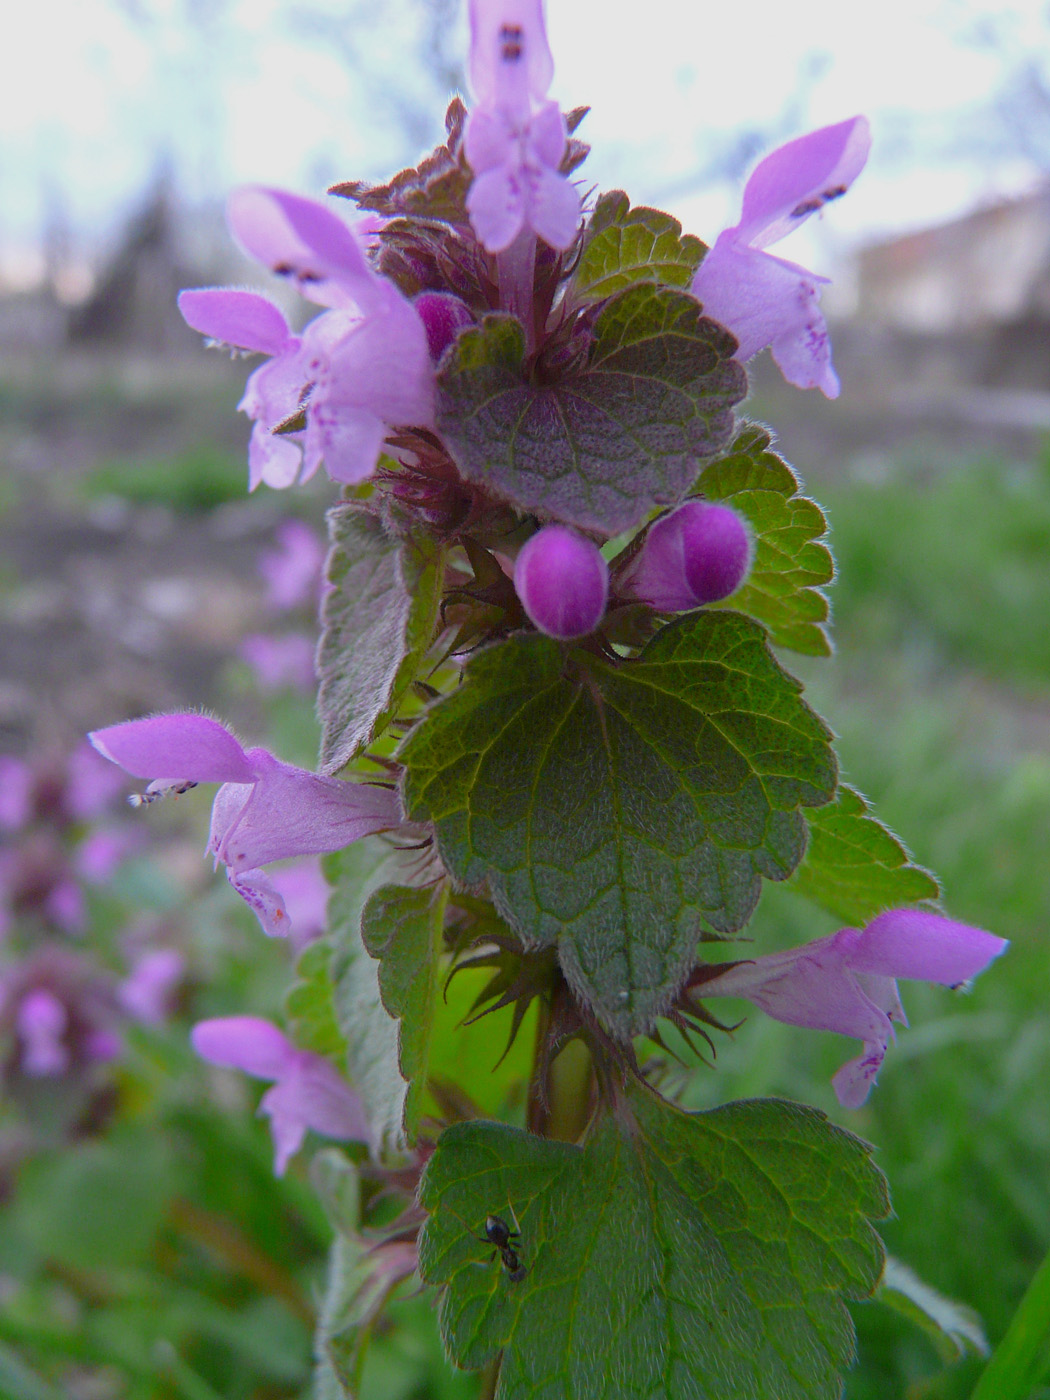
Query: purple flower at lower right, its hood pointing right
846	982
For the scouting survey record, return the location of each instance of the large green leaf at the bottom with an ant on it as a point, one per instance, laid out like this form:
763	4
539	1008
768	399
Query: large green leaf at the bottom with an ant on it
685	1256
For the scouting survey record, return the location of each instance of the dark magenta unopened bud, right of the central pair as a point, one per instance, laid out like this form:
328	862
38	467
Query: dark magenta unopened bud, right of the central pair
698	555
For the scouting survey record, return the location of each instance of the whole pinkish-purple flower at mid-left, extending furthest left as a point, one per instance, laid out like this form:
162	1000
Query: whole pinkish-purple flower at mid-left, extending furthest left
264	811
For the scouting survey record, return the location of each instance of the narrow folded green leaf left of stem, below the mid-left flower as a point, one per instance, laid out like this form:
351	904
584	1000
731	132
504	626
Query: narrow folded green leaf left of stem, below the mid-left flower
402	929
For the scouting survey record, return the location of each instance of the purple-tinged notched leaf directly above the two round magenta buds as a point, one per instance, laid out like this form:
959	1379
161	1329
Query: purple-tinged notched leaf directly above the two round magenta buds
605	443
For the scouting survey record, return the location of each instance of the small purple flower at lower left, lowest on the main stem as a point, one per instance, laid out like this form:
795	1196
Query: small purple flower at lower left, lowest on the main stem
309	1093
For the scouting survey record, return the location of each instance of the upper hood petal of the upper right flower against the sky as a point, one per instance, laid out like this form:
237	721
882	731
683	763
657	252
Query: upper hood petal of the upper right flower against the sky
800	178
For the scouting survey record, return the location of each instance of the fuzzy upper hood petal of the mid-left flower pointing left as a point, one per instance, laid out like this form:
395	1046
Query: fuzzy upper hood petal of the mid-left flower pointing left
173	748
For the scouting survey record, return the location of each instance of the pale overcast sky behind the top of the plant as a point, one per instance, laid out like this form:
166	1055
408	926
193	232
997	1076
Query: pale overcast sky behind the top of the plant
97	90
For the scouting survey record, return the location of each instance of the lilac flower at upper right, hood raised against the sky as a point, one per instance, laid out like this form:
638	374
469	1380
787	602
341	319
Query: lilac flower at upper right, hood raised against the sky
761	299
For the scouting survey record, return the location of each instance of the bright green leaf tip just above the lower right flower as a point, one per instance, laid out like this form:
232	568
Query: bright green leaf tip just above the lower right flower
856	867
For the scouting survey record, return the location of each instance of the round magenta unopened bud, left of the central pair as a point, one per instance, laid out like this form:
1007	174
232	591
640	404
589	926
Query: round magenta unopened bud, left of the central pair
563	583
